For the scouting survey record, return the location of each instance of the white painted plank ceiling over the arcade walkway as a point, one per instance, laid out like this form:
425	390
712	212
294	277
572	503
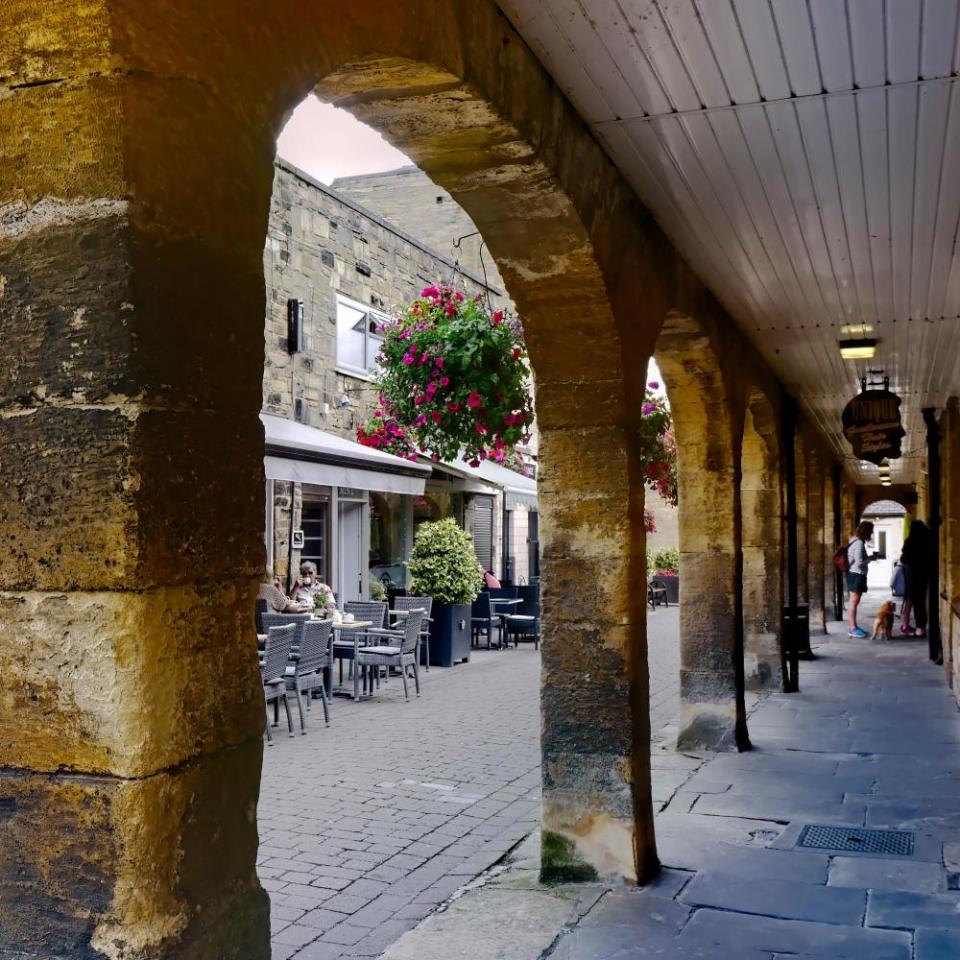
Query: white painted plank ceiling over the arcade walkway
804	156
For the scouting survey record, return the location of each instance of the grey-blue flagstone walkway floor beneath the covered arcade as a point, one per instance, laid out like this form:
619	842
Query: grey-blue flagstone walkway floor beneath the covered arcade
873	741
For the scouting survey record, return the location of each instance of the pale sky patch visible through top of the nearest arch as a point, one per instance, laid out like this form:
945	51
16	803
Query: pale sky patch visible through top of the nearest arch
327	143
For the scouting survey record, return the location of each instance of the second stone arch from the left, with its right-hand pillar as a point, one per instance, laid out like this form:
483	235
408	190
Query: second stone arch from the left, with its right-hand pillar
712	712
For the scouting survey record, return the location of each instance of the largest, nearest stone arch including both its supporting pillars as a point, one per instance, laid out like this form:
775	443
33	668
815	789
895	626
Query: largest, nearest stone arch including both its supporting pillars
135	544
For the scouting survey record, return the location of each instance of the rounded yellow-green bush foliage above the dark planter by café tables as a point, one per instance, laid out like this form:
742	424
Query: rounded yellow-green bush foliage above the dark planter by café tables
443	564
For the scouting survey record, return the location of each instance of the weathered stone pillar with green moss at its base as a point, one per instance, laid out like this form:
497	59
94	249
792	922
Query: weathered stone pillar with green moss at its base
597	810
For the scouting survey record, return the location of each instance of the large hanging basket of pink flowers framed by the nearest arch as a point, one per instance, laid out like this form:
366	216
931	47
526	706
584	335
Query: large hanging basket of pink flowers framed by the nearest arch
453	381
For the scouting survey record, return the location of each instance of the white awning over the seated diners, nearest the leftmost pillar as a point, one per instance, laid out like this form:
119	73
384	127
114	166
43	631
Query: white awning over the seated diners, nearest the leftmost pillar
305	454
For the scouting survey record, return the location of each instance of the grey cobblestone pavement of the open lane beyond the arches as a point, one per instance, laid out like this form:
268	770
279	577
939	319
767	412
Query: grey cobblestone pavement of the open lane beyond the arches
368	825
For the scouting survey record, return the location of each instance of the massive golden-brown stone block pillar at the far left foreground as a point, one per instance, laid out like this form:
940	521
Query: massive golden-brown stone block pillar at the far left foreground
131	707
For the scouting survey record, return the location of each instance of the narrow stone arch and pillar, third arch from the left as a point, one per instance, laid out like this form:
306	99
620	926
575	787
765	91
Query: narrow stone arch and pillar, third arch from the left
761	500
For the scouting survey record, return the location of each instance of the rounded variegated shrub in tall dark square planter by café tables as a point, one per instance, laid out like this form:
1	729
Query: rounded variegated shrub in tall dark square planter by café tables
443	566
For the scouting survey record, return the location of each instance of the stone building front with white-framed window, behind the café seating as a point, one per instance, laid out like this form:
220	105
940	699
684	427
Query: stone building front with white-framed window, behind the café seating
348	268
